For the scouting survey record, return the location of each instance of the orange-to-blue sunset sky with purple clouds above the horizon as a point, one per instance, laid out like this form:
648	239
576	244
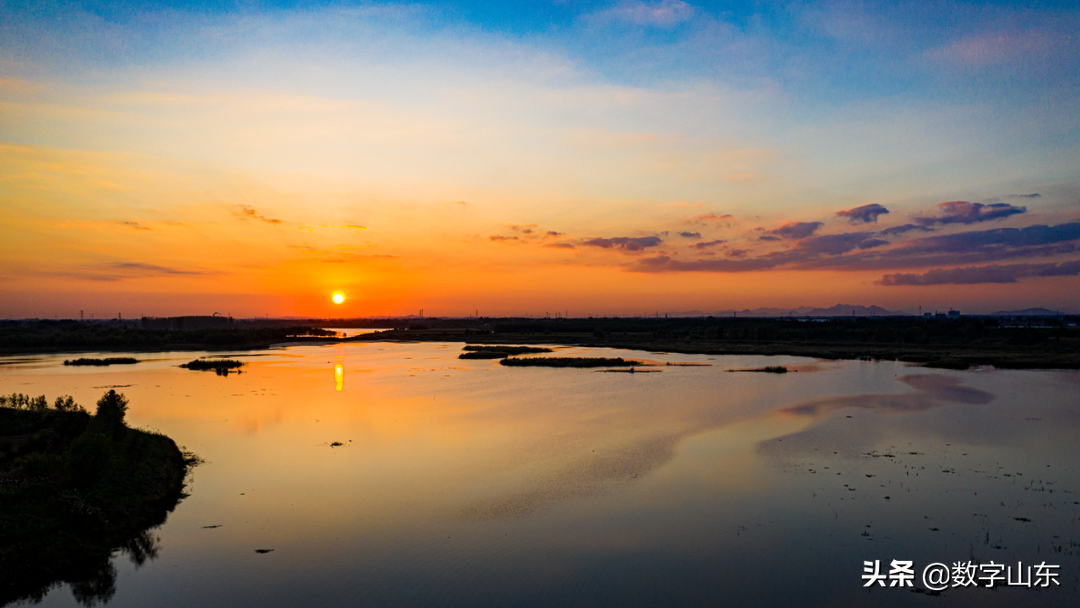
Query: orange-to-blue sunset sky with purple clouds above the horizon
590	157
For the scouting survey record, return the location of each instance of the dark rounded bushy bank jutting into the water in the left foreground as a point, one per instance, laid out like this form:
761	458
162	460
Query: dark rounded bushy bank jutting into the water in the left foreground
75	491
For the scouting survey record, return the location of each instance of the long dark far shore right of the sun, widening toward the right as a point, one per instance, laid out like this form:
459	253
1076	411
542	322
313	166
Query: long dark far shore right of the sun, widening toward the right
1004	342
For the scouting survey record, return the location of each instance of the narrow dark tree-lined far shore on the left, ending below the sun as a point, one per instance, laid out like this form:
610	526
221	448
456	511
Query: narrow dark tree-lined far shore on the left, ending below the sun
74	334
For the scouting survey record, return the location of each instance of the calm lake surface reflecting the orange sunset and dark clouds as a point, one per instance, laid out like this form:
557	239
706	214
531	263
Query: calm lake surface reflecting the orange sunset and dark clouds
464	483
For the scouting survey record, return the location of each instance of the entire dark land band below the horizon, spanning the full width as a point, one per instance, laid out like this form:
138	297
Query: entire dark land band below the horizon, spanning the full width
1017	344
